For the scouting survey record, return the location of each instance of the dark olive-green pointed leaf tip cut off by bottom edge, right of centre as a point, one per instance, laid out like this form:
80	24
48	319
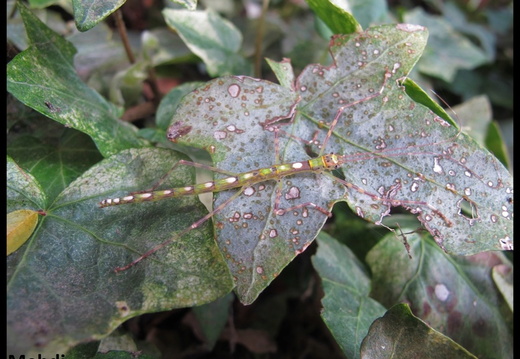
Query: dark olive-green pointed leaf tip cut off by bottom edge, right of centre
399	334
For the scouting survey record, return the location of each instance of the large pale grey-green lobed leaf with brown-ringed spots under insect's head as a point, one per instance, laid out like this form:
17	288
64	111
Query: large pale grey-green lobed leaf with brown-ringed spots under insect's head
396	153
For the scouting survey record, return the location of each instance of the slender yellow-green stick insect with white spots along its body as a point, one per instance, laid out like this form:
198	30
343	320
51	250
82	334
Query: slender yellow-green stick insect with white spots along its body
243	182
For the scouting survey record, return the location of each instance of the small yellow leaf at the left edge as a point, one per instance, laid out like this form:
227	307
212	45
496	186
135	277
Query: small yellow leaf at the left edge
20	226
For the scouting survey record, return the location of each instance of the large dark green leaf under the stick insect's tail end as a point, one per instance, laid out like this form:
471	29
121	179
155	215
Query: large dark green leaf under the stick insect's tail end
64	289
